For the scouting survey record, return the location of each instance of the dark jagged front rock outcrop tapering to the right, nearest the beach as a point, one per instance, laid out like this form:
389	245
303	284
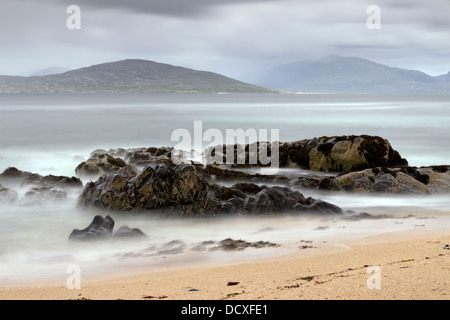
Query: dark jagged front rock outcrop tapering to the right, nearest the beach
182	191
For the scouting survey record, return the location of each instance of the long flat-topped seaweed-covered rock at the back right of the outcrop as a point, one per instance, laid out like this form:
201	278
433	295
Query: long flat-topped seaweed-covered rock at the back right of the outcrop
329	154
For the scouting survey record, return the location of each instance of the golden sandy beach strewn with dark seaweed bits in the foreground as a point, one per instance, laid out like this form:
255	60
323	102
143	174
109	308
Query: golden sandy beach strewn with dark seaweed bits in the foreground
393	266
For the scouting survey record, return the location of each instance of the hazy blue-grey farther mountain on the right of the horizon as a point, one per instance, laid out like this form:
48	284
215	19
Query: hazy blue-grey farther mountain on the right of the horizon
336	74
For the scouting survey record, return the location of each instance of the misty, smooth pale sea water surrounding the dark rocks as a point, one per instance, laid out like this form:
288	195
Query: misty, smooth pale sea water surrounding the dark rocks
52	134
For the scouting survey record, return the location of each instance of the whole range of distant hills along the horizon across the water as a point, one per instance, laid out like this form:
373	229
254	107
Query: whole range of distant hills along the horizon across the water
329	74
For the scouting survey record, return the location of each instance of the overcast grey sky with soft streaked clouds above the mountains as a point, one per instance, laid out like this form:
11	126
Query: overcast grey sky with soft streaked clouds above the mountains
231	37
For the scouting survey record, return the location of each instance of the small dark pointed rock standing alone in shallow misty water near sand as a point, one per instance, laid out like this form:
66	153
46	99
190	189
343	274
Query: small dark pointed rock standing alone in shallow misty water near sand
100	228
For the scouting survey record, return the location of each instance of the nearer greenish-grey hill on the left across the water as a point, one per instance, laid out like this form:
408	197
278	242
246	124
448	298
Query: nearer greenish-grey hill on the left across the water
126	76
